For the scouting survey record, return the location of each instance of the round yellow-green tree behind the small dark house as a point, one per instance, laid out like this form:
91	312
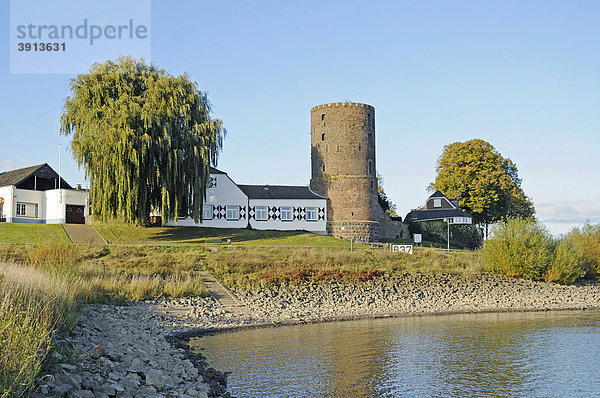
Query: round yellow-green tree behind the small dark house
485	184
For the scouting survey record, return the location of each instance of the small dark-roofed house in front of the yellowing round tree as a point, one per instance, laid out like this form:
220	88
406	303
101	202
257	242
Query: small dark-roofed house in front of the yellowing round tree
439	208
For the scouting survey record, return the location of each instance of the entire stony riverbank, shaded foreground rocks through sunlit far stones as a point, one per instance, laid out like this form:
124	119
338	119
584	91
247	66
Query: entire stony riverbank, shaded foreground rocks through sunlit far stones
140	349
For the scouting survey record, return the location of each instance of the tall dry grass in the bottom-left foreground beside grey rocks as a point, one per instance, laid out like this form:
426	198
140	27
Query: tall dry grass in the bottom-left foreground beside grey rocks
33	305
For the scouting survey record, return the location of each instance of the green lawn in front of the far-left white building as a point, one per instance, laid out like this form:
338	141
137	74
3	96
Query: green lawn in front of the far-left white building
32	233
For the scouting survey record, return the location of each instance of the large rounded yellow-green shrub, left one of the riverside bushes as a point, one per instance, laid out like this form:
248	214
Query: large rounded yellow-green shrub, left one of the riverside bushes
518	248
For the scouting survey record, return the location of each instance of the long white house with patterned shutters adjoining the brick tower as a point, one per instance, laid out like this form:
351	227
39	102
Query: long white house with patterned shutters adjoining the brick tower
267	207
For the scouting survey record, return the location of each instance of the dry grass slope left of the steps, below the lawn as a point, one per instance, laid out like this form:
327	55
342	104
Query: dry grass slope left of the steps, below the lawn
118	274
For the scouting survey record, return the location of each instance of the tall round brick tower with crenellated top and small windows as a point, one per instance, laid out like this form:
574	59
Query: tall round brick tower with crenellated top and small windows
343	167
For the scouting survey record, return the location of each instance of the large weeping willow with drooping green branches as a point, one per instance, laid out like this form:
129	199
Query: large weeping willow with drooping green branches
145	139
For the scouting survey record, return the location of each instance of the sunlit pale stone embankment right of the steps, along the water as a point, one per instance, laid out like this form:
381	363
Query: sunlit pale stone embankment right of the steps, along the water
415	295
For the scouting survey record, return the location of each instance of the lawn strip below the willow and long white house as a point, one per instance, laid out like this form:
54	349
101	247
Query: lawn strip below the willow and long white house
129	234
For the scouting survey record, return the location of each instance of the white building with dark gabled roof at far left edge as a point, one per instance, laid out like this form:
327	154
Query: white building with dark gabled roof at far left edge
37	194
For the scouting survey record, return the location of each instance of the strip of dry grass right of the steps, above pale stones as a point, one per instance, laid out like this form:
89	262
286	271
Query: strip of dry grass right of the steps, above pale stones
249	268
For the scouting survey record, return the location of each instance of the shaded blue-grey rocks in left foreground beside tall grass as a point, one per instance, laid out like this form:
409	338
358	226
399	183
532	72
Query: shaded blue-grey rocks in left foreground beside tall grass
125	351
